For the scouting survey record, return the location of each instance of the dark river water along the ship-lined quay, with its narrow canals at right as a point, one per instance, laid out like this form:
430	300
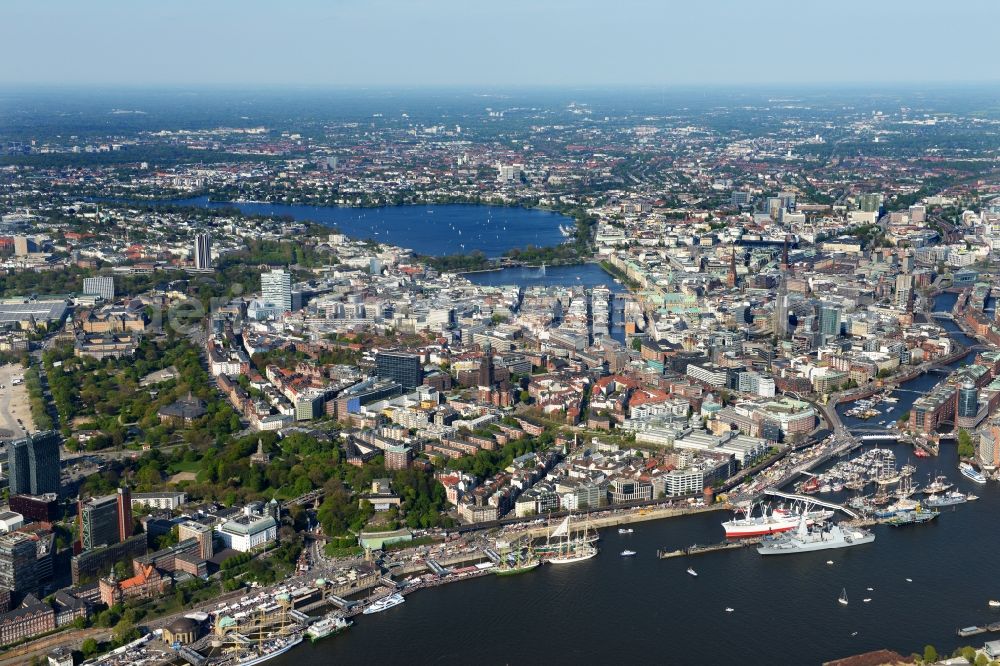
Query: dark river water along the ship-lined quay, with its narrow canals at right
616	610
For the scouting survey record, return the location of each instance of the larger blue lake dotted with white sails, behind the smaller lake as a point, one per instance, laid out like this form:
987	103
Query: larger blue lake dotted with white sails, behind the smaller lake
429	230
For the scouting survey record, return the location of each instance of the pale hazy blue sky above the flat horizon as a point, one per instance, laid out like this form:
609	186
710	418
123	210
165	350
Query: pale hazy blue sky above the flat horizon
497	42
